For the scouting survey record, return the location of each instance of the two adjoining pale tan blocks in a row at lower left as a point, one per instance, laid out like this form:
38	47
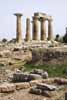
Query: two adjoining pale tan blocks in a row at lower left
11	87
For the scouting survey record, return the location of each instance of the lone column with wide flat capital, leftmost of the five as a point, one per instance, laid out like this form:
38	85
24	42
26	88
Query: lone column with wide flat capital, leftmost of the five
18	28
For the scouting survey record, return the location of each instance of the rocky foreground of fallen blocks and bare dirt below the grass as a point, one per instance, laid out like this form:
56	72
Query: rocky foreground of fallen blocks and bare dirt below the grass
27	86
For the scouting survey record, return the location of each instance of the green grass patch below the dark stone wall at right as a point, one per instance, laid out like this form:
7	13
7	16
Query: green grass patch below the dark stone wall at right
53	70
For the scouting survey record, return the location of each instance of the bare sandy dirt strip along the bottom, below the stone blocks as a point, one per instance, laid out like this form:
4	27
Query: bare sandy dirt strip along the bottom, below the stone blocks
24	94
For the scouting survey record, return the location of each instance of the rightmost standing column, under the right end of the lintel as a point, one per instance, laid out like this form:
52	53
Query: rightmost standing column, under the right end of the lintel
50	28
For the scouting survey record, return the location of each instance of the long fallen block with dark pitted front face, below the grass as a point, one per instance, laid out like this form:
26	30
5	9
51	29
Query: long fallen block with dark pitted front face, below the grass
25	77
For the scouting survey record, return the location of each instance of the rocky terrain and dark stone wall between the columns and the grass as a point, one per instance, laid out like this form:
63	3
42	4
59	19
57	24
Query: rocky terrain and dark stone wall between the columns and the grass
13	55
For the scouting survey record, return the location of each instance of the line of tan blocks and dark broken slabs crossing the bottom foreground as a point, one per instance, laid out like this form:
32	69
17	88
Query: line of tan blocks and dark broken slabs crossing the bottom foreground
39	87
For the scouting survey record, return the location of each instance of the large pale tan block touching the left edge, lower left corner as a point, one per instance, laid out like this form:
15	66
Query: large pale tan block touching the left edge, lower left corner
6	88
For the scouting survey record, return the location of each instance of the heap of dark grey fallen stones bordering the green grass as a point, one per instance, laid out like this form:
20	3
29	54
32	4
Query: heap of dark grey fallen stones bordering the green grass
26	77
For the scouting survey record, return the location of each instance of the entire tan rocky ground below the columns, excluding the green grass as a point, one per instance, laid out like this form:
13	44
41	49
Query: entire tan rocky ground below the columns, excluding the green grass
14	57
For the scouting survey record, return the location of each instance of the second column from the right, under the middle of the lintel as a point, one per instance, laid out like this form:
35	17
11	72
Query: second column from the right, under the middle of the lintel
43	28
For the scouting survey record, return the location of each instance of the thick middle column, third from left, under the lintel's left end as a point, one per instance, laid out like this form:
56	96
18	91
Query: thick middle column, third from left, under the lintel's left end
35	27
